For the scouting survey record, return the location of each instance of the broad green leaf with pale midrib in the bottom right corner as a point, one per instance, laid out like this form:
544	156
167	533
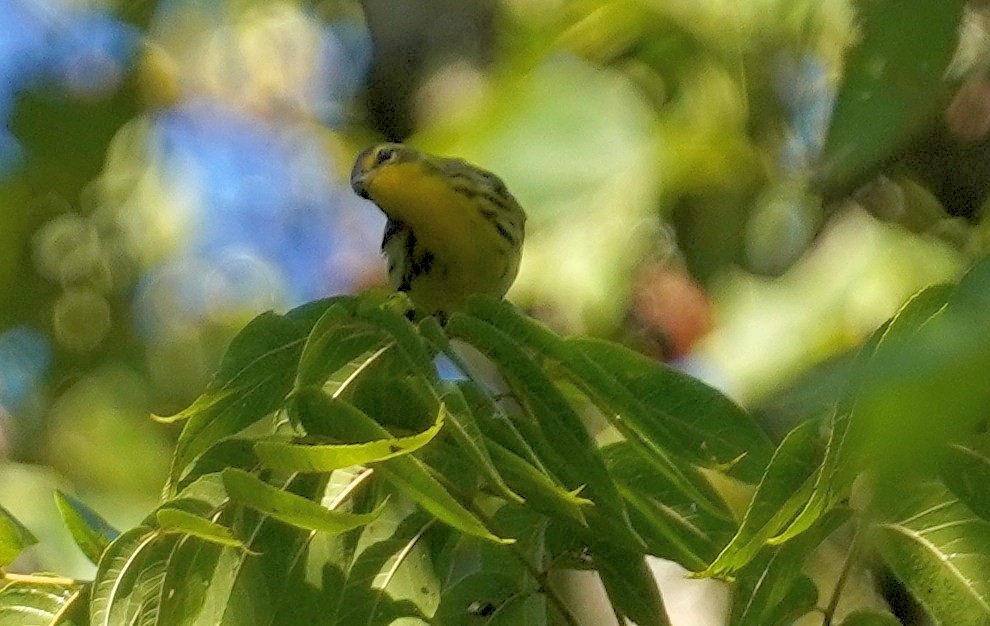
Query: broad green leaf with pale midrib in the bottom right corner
940	551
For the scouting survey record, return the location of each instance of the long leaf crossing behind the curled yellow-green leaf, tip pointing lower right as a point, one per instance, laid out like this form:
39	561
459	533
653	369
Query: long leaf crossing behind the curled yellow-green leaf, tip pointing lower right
330	417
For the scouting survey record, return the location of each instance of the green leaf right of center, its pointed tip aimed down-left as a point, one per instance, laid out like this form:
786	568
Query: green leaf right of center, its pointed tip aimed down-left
782	492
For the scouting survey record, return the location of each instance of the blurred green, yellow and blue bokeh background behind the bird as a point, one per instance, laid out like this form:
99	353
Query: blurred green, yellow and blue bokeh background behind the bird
171	168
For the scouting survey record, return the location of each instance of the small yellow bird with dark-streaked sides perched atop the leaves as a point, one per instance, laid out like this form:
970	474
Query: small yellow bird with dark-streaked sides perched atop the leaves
453	229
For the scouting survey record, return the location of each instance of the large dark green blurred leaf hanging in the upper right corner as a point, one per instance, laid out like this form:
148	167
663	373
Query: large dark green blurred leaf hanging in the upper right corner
892	85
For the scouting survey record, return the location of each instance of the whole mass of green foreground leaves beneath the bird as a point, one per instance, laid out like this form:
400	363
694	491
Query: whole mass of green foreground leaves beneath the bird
329	475
